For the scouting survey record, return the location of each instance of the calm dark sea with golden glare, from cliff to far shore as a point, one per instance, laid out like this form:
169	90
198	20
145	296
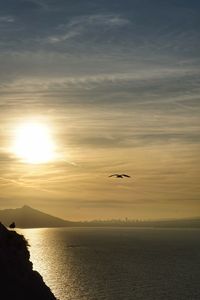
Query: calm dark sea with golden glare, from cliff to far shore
117	264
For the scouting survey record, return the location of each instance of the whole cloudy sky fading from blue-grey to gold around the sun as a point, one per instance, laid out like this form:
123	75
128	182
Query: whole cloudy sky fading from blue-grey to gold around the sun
117	84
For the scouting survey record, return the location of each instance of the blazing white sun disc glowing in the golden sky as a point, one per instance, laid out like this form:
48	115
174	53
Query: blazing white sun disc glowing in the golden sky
33	143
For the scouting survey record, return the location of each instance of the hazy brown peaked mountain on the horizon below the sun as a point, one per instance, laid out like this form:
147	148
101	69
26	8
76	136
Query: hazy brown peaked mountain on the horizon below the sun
27	217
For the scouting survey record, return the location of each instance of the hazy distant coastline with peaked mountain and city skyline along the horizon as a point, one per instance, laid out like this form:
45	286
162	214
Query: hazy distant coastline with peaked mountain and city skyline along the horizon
27	217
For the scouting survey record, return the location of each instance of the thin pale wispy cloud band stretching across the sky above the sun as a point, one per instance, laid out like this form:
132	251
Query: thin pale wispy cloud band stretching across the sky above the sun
140	75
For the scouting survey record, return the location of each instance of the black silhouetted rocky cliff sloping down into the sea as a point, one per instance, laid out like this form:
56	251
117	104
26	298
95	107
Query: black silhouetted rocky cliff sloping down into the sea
17	278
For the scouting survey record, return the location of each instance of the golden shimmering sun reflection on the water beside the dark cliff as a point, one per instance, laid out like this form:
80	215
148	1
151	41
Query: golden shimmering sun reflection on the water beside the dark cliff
51	258
